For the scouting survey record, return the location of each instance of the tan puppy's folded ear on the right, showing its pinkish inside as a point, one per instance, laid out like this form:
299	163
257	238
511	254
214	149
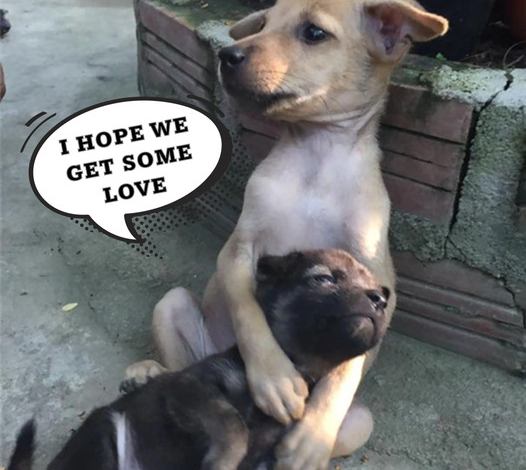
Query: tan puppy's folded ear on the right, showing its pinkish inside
392	26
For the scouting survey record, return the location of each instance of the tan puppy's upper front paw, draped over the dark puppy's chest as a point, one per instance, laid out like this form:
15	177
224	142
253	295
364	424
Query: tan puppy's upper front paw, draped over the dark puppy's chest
277	388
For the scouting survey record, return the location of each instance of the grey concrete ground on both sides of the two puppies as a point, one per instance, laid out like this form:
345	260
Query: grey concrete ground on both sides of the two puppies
434	410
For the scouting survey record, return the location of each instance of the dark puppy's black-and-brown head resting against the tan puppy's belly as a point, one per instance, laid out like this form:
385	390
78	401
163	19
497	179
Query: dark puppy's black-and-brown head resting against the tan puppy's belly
322	306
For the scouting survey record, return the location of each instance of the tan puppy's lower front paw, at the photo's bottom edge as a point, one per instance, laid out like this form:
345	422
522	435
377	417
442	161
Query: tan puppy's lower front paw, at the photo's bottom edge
308	446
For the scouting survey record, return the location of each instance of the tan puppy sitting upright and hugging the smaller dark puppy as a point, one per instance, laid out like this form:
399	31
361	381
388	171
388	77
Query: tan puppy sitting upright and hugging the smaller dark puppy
321	66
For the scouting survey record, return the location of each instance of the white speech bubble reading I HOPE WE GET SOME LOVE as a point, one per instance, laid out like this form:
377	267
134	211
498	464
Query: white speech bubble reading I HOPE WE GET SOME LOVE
128	157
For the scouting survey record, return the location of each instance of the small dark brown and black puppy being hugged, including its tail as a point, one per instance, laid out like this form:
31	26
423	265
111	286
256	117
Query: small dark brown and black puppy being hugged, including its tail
323	307
